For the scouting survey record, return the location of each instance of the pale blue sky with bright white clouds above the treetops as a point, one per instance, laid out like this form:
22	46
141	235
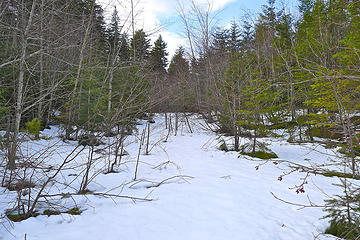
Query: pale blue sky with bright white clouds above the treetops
161	16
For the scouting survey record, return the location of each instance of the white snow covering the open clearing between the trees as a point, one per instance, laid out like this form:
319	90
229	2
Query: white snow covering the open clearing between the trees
220	196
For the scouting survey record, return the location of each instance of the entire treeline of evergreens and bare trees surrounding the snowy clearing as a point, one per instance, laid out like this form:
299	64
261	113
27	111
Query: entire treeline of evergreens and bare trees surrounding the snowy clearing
60	63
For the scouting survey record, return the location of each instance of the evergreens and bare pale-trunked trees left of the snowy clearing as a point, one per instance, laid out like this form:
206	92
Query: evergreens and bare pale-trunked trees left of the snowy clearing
61	63
